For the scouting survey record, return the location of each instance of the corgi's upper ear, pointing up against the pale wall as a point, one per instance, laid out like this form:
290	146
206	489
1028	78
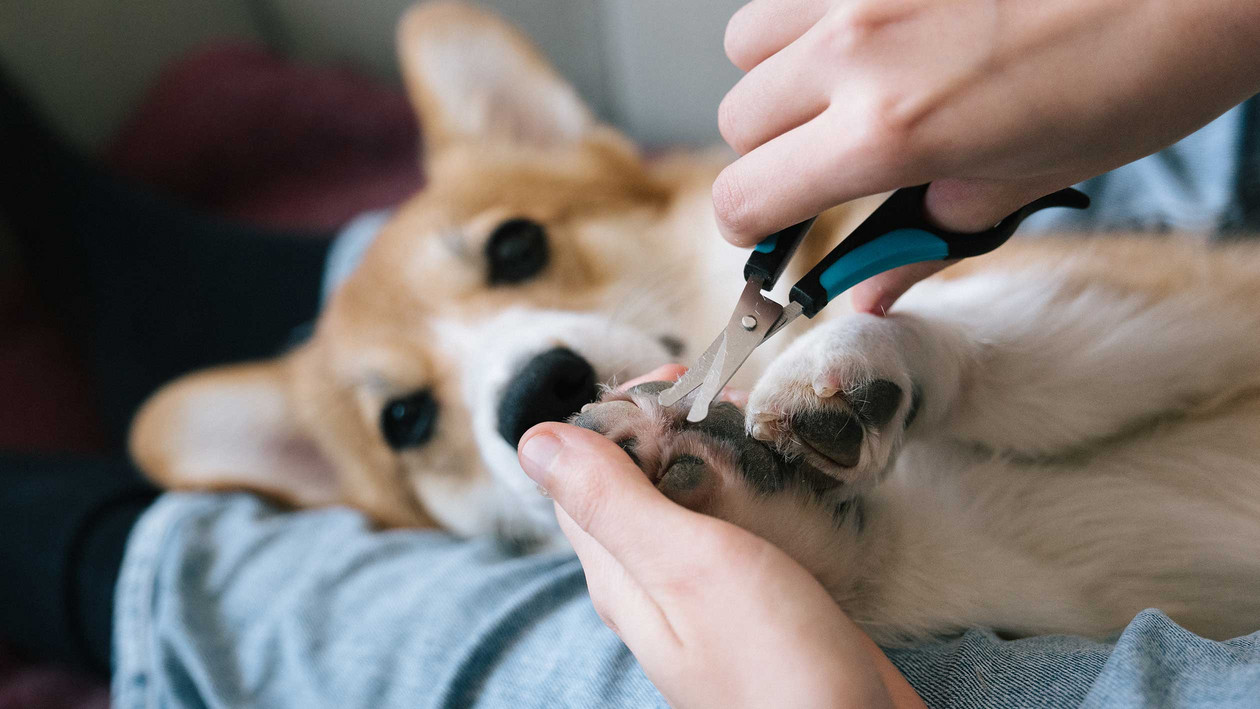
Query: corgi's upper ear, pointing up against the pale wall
474	77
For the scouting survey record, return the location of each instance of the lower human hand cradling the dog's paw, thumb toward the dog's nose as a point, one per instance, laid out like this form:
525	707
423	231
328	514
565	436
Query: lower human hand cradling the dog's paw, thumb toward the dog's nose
716	616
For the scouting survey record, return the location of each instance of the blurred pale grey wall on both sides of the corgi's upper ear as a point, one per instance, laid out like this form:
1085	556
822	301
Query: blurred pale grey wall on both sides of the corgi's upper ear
653	67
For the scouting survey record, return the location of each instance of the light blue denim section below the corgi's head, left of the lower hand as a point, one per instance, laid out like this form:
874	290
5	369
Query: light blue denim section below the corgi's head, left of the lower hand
226	603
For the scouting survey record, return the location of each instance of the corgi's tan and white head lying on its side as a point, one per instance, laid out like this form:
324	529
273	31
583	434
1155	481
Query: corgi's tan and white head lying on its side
544	258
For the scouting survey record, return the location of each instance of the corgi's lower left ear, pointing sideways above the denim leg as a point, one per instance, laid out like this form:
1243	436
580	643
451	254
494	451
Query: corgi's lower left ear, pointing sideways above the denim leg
234	428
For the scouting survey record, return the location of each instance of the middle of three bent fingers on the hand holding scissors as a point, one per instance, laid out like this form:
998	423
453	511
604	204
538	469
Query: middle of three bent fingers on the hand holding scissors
777	96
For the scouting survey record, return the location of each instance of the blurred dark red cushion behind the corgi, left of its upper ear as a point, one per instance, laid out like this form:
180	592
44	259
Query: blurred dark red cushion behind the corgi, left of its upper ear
250	135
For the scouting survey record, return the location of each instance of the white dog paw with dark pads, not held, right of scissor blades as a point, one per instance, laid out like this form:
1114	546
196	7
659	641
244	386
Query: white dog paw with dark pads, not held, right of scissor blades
841	399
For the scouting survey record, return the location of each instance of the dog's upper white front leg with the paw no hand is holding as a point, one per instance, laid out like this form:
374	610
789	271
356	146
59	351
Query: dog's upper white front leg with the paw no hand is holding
1022	365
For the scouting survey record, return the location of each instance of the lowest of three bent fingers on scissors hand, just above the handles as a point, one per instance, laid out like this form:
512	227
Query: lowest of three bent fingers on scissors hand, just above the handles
802	174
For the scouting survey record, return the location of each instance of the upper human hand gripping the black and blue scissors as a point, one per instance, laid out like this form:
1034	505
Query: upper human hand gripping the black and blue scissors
996	104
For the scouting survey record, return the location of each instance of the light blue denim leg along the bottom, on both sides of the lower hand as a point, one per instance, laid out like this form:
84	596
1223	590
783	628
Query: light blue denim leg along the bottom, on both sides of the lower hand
226	603
